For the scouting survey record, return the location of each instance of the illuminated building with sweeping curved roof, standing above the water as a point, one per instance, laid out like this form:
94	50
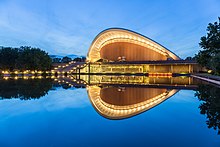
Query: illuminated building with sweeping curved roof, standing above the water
122	51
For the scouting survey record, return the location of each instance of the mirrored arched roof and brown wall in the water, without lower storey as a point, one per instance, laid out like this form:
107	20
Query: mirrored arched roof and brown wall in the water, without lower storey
124	102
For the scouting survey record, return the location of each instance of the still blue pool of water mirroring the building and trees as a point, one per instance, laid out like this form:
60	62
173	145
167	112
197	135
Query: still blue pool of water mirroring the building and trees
94	110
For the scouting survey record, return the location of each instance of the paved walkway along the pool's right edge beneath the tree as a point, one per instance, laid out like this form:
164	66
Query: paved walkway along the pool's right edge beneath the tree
208	78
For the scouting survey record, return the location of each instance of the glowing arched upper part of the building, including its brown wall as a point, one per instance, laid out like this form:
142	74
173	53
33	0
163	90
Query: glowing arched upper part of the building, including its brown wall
116	38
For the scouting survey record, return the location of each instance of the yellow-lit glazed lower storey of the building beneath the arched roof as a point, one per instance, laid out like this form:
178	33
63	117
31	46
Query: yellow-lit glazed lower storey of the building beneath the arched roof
137	68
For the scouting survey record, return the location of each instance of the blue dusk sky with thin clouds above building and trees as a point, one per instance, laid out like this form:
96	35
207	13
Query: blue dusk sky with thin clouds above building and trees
68	26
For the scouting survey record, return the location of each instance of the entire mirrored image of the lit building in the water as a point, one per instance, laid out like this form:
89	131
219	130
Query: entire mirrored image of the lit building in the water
119	97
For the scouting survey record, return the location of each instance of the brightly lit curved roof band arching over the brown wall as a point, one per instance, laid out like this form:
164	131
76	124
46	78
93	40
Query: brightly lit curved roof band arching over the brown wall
122	35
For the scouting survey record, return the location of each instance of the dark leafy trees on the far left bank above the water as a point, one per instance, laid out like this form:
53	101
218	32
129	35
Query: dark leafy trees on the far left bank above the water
24	58
